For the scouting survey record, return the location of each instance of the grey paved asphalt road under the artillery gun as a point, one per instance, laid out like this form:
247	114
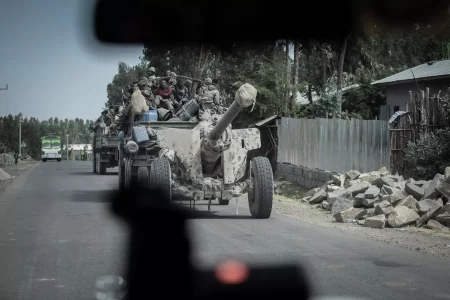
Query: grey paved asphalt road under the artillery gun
57	237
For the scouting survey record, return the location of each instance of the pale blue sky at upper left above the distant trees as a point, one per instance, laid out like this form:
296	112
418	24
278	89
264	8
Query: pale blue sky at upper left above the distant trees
51	61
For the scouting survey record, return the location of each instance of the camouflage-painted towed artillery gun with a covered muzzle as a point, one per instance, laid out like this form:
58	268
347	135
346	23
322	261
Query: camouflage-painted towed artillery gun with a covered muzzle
203	160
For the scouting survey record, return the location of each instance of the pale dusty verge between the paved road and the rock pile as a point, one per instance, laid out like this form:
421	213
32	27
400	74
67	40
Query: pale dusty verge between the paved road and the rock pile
418	239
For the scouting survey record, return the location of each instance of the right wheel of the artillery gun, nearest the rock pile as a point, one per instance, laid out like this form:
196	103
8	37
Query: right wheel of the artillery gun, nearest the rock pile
260	196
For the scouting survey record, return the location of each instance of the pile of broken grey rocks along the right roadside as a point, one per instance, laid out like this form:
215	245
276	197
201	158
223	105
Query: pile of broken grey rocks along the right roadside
378	199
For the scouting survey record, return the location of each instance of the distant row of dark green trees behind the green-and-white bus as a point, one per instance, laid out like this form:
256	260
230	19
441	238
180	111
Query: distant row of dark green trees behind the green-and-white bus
33	130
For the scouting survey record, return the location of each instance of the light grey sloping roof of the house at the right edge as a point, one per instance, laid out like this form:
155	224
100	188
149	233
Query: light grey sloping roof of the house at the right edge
440	68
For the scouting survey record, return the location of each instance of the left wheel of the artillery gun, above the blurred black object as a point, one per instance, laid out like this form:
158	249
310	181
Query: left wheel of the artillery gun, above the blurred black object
160	176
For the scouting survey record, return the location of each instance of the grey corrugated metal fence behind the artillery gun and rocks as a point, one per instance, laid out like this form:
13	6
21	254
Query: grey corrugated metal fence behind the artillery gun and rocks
334	144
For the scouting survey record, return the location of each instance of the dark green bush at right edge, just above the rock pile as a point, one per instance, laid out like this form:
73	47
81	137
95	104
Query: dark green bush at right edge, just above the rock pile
429	155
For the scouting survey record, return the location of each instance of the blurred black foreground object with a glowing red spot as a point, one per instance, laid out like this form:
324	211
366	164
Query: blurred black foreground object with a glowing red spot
159	261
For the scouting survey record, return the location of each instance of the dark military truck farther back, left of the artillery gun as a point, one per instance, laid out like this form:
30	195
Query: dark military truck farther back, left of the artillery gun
104	149
